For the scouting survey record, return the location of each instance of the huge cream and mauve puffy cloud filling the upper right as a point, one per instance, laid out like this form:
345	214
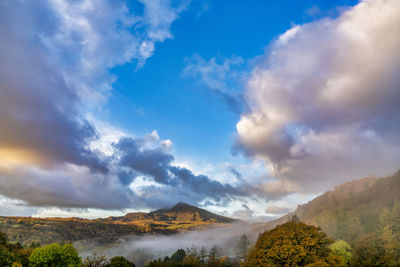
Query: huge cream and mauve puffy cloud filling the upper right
324	103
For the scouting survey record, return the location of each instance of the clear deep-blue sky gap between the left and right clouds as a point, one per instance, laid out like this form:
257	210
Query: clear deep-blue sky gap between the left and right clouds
158	96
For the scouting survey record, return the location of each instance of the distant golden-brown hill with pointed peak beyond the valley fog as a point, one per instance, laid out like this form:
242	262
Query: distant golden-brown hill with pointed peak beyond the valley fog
181	217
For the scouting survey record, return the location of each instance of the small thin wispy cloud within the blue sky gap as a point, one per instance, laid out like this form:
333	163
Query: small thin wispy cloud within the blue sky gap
219	76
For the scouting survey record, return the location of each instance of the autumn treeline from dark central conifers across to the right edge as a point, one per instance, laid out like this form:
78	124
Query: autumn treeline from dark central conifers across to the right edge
297	244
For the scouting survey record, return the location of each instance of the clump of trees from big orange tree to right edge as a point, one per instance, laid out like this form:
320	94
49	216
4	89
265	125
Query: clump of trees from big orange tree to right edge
298	244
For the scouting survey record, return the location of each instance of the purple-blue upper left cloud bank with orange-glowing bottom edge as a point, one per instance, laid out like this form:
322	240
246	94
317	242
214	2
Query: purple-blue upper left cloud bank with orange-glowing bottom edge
55	60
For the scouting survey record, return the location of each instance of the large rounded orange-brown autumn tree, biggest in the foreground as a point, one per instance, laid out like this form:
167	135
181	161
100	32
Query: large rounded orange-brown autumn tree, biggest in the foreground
292	244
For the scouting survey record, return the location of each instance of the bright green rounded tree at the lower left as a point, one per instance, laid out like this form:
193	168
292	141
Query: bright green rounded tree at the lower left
55	255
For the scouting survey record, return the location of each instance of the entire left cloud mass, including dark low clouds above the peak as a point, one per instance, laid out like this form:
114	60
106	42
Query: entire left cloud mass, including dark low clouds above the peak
55	61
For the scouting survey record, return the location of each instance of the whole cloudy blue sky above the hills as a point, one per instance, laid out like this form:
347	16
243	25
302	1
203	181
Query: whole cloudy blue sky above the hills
244	108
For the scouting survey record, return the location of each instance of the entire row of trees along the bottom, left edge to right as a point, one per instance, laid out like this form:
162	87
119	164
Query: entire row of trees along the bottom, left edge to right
290	244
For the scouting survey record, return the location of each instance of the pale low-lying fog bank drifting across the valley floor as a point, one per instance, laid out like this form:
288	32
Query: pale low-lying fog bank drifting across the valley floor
147	247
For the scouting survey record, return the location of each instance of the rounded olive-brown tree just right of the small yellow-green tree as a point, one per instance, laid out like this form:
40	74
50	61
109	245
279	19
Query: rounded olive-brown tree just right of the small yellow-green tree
368	251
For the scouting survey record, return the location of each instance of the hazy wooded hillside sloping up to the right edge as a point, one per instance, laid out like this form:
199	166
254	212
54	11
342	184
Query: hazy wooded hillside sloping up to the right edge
352	209
